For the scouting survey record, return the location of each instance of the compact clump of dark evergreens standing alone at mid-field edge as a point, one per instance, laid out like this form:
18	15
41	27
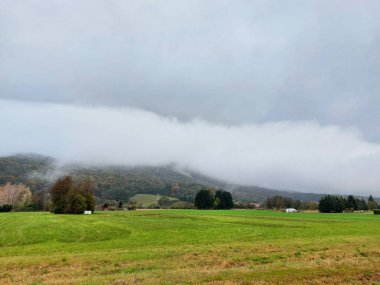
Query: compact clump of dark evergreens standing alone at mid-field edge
210	199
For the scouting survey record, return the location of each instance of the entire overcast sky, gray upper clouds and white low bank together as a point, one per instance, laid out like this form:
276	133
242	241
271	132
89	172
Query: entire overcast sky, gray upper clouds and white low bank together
281	94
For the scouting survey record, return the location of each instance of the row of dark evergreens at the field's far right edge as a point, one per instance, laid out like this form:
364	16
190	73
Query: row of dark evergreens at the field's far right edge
338	204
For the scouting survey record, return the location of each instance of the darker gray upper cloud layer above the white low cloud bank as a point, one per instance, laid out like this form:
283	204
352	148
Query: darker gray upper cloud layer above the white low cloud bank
230	62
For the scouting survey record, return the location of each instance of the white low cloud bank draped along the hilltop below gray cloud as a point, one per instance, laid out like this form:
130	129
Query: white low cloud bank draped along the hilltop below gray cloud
302	155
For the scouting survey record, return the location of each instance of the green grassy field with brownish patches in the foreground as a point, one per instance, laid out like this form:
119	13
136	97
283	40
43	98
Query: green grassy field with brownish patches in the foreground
189	247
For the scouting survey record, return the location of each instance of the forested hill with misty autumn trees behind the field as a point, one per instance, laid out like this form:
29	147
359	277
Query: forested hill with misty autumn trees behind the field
121	183
